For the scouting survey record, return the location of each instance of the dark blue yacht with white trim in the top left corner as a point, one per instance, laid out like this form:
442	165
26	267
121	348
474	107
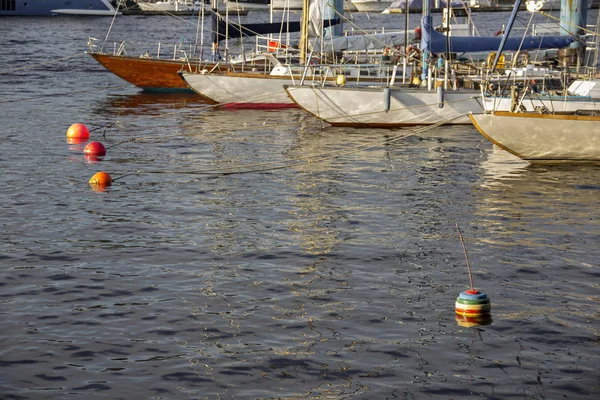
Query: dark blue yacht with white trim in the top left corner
56	7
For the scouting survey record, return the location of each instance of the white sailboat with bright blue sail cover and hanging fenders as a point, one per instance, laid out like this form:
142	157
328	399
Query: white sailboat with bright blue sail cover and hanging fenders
389	106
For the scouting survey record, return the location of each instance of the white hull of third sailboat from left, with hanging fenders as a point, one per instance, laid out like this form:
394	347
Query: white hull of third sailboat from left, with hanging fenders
368	106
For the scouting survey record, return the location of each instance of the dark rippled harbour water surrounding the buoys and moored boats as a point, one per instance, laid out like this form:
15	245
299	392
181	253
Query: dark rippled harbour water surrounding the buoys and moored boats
328	279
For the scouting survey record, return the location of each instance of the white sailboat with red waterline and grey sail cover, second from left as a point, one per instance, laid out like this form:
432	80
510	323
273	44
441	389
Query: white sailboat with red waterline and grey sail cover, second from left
257	90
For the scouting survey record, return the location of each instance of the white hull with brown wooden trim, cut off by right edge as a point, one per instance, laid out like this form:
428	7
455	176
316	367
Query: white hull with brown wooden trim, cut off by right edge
542	137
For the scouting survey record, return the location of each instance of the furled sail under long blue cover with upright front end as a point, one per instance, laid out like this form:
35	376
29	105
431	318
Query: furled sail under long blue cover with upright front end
435	42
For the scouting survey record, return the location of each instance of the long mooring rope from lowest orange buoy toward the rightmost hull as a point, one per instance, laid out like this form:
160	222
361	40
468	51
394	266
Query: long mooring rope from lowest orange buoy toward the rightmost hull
302	160
